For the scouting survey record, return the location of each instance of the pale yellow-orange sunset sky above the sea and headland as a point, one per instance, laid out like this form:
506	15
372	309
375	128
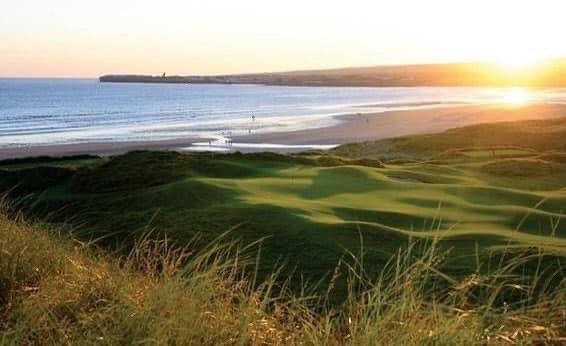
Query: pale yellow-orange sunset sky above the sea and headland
70	38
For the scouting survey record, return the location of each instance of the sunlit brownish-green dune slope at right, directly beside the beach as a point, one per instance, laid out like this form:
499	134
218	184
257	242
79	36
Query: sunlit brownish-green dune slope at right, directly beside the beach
517	139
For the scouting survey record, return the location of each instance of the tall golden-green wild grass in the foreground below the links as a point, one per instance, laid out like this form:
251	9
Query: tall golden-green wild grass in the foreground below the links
56	290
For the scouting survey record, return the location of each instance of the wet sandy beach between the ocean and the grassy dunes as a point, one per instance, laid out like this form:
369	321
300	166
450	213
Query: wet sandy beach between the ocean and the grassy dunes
354	128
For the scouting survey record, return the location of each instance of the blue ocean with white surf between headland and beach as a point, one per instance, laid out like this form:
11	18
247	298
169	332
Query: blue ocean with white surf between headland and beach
59	111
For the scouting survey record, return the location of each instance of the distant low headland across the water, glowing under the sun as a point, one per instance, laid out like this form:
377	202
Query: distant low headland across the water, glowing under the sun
550	74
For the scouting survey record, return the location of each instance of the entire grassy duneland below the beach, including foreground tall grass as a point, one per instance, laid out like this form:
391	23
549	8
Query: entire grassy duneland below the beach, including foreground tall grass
398	238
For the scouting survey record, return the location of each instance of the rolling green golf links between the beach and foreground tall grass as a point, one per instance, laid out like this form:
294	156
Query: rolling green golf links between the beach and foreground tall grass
475	192
